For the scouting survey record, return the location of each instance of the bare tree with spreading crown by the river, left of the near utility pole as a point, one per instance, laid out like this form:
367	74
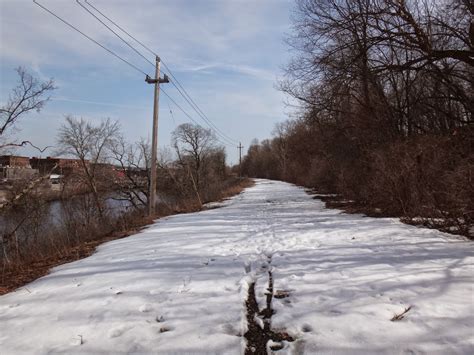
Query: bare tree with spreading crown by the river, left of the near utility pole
90	144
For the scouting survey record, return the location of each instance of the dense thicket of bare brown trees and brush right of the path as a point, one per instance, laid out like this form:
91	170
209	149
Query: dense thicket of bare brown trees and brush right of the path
386	93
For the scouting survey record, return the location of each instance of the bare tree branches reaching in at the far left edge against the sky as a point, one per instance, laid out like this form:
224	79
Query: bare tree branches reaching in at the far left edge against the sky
29	95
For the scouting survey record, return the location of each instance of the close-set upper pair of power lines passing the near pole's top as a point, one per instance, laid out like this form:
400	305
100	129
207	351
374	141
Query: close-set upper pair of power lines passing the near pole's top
178	85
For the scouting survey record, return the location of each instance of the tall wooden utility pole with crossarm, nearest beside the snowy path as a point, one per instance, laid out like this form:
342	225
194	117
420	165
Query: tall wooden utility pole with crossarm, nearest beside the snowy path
154	140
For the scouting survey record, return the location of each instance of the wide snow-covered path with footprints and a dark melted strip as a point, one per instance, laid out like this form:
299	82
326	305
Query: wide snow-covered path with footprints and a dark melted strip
180	285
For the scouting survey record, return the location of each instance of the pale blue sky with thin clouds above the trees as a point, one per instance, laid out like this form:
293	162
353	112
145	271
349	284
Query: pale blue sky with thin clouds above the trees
228	54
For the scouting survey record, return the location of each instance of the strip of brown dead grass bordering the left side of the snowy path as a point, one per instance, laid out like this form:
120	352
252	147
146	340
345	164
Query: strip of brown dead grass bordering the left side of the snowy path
15	275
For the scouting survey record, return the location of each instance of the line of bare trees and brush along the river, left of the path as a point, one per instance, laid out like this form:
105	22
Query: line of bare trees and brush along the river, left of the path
191	172
